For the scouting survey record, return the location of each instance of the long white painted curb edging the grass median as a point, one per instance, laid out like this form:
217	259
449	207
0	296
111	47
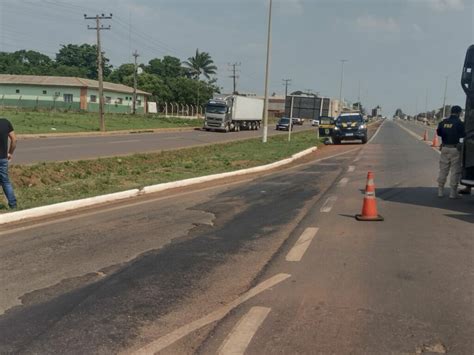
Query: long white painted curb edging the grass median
87	202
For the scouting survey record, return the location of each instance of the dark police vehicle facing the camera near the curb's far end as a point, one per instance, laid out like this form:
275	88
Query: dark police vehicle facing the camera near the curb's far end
350	126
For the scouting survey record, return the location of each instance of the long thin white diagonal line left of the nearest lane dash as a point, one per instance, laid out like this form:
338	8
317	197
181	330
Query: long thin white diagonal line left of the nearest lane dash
170	338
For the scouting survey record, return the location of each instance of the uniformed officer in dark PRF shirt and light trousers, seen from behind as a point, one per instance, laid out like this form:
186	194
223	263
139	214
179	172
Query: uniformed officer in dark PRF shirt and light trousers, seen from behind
451	130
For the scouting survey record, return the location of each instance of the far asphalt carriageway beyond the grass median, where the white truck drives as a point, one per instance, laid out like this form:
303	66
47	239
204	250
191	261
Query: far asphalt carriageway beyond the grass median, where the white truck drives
34	150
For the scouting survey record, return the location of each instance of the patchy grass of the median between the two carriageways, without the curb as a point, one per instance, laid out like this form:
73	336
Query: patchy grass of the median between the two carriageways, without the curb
47	183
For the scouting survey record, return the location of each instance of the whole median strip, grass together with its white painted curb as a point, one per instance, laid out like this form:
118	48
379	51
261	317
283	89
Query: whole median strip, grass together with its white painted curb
44	189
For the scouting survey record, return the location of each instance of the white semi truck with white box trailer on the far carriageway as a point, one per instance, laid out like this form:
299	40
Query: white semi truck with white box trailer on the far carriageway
233	113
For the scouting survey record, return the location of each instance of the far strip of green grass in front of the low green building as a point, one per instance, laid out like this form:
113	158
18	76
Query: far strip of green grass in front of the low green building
65	122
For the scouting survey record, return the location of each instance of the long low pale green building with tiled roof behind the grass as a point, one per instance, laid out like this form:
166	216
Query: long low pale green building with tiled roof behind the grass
67	93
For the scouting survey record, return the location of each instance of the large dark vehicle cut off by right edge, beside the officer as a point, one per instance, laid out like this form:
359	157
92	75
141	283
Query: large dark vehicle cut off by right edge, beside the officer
467	83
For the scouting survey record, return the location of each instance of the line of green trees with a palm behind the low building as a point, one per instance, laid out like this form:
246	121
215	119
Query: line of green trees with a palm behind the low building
168	79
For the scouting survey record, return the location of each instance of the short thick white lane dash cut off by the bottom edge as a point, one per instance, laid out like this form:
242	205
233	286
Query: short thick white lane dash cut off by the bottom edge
239	338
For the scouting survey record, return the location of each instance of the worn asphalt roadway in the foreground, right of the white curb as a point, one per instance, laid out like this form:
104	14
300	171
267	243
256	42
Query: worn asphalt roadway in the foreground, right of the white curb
269	264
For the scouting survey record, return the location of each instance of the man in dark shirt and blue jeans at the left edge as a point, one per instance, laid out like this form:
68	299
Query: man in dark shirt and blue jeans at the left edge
6	152
